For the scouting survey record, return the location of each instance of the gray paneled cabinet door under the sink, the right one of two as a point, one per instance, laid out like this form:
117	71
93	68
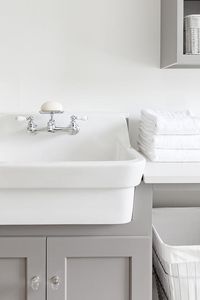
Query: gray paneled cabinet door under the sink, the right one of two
100	268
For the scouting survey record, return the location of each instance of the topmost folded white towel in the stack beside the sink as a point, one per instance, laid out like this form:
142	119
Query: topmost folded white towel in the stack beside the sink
158	122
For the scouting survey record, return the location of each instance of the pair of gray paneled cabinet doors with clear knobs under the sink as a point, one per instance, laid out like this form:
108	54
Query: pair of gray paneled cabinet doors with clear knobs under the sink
75	268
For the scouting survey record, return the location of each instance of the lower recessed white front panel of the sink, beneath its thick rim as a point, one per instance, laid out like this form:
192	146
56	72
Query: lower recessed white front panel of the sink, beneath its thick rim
66	206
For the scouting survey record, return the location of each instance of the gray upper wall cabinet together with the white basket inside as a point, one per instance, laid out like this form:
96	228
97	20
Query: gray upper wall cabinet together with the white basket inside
174	36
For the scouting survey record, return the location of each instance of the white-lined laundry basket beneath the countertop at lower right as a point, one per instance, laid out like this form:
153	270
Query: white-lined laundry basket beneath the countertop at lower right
176	252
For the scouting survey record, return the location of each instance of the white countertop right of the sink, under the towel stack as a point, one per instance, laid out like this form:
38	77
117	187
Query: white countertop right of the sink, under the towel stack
172	172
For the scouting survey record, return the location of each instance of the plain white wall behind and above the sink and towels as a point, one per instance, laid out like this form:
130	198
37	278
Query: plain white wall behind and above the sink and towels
88	54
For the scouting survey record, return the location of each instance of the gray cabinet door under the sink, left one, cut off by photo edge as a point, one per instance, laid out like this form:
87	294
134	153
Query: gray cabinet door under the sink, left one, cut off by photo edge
22	268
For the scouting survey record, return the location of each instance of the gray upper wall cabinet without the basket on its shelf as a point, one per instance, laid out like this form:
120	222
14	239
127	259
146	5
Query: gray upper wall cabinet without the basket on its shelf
172	33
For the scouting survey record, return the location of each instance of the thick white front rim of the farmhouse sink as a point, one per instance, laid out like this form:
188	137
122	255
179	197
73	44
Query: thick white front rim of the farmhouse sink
69	175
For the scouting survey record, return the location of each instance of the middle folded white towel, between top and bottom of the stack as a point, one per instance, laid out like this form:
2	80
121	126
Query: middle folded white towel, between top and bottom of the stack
169	141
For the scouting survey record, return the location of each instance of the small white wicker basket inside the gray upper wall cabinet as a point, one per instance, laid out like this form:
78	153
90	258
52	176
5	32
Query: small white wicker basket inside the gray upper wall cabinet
192	34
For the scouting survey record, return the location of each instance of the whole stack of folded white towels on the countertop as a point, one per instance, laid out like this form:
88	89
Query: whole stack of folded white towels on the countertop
169	136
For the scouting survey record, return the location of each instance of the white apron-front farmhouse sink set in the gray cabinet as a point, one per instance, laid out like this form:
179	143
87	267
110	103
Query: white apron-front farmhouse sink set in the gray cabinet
57	178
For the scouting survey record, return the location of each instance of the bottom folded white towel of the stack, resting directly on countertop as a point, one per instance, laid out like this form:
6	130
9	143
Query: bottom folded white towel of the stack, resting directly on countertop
169	155
